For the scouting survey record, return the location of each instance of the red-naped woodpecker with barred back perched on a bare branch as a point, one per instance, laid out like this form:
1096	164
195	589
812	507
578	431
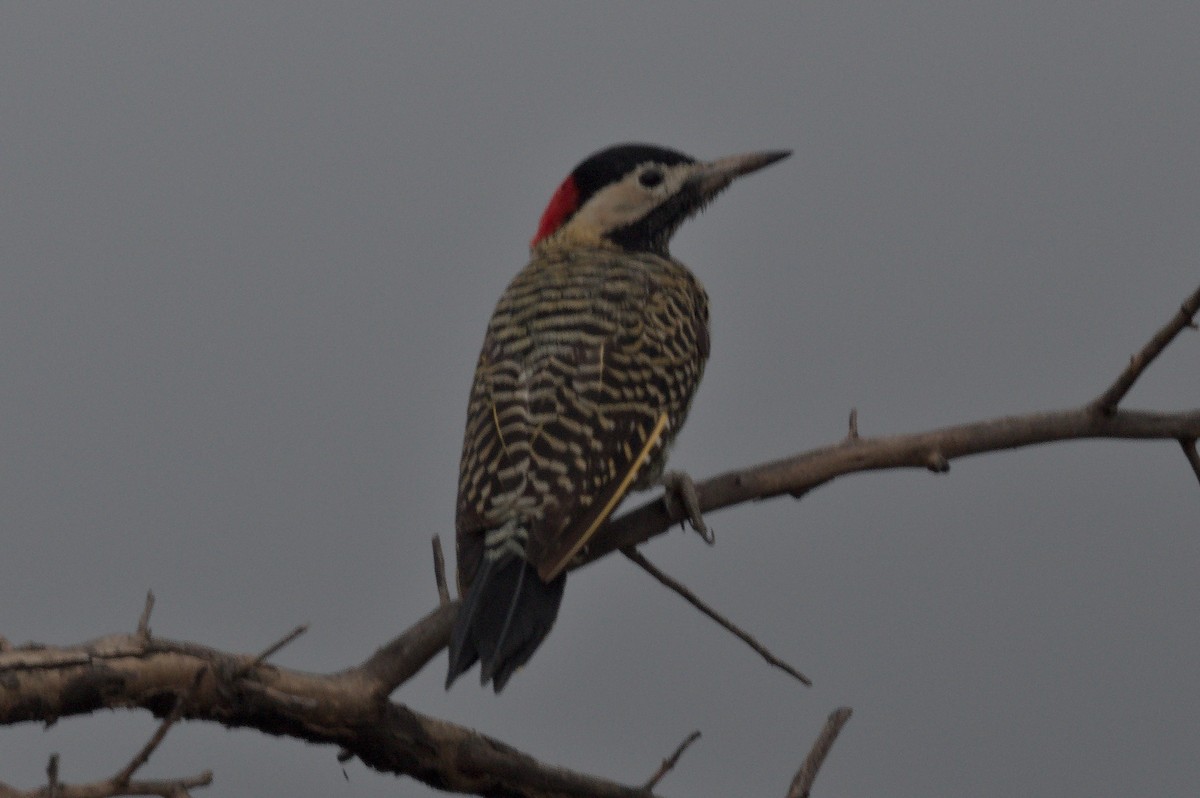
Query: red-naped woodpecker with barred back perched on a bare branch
587	371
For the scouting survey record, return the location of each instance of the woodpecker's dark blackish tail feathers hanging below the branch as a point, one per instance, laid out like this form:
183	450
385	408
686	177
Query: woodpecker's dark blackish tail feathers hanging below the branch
506	616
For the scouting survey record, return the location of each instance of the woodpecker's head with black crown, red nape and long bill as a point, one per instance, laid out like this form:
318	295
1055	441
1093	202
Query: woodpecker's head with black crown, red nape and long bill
637	196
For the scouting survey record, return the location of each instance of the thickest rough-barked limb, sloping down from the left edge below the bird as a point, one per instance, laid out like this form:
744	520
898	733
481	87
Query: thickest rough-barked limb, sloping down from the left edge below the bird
341	710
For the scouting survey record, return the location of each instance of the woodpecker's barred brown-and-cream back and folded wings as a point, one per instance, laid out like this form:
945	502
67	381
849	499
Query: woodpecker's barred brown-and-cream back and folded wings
583	383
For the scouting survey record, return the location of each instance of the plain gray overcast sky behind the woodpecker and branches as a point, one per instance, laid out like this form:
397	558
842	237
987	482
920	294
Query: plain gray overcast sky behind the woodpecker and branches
249	254
